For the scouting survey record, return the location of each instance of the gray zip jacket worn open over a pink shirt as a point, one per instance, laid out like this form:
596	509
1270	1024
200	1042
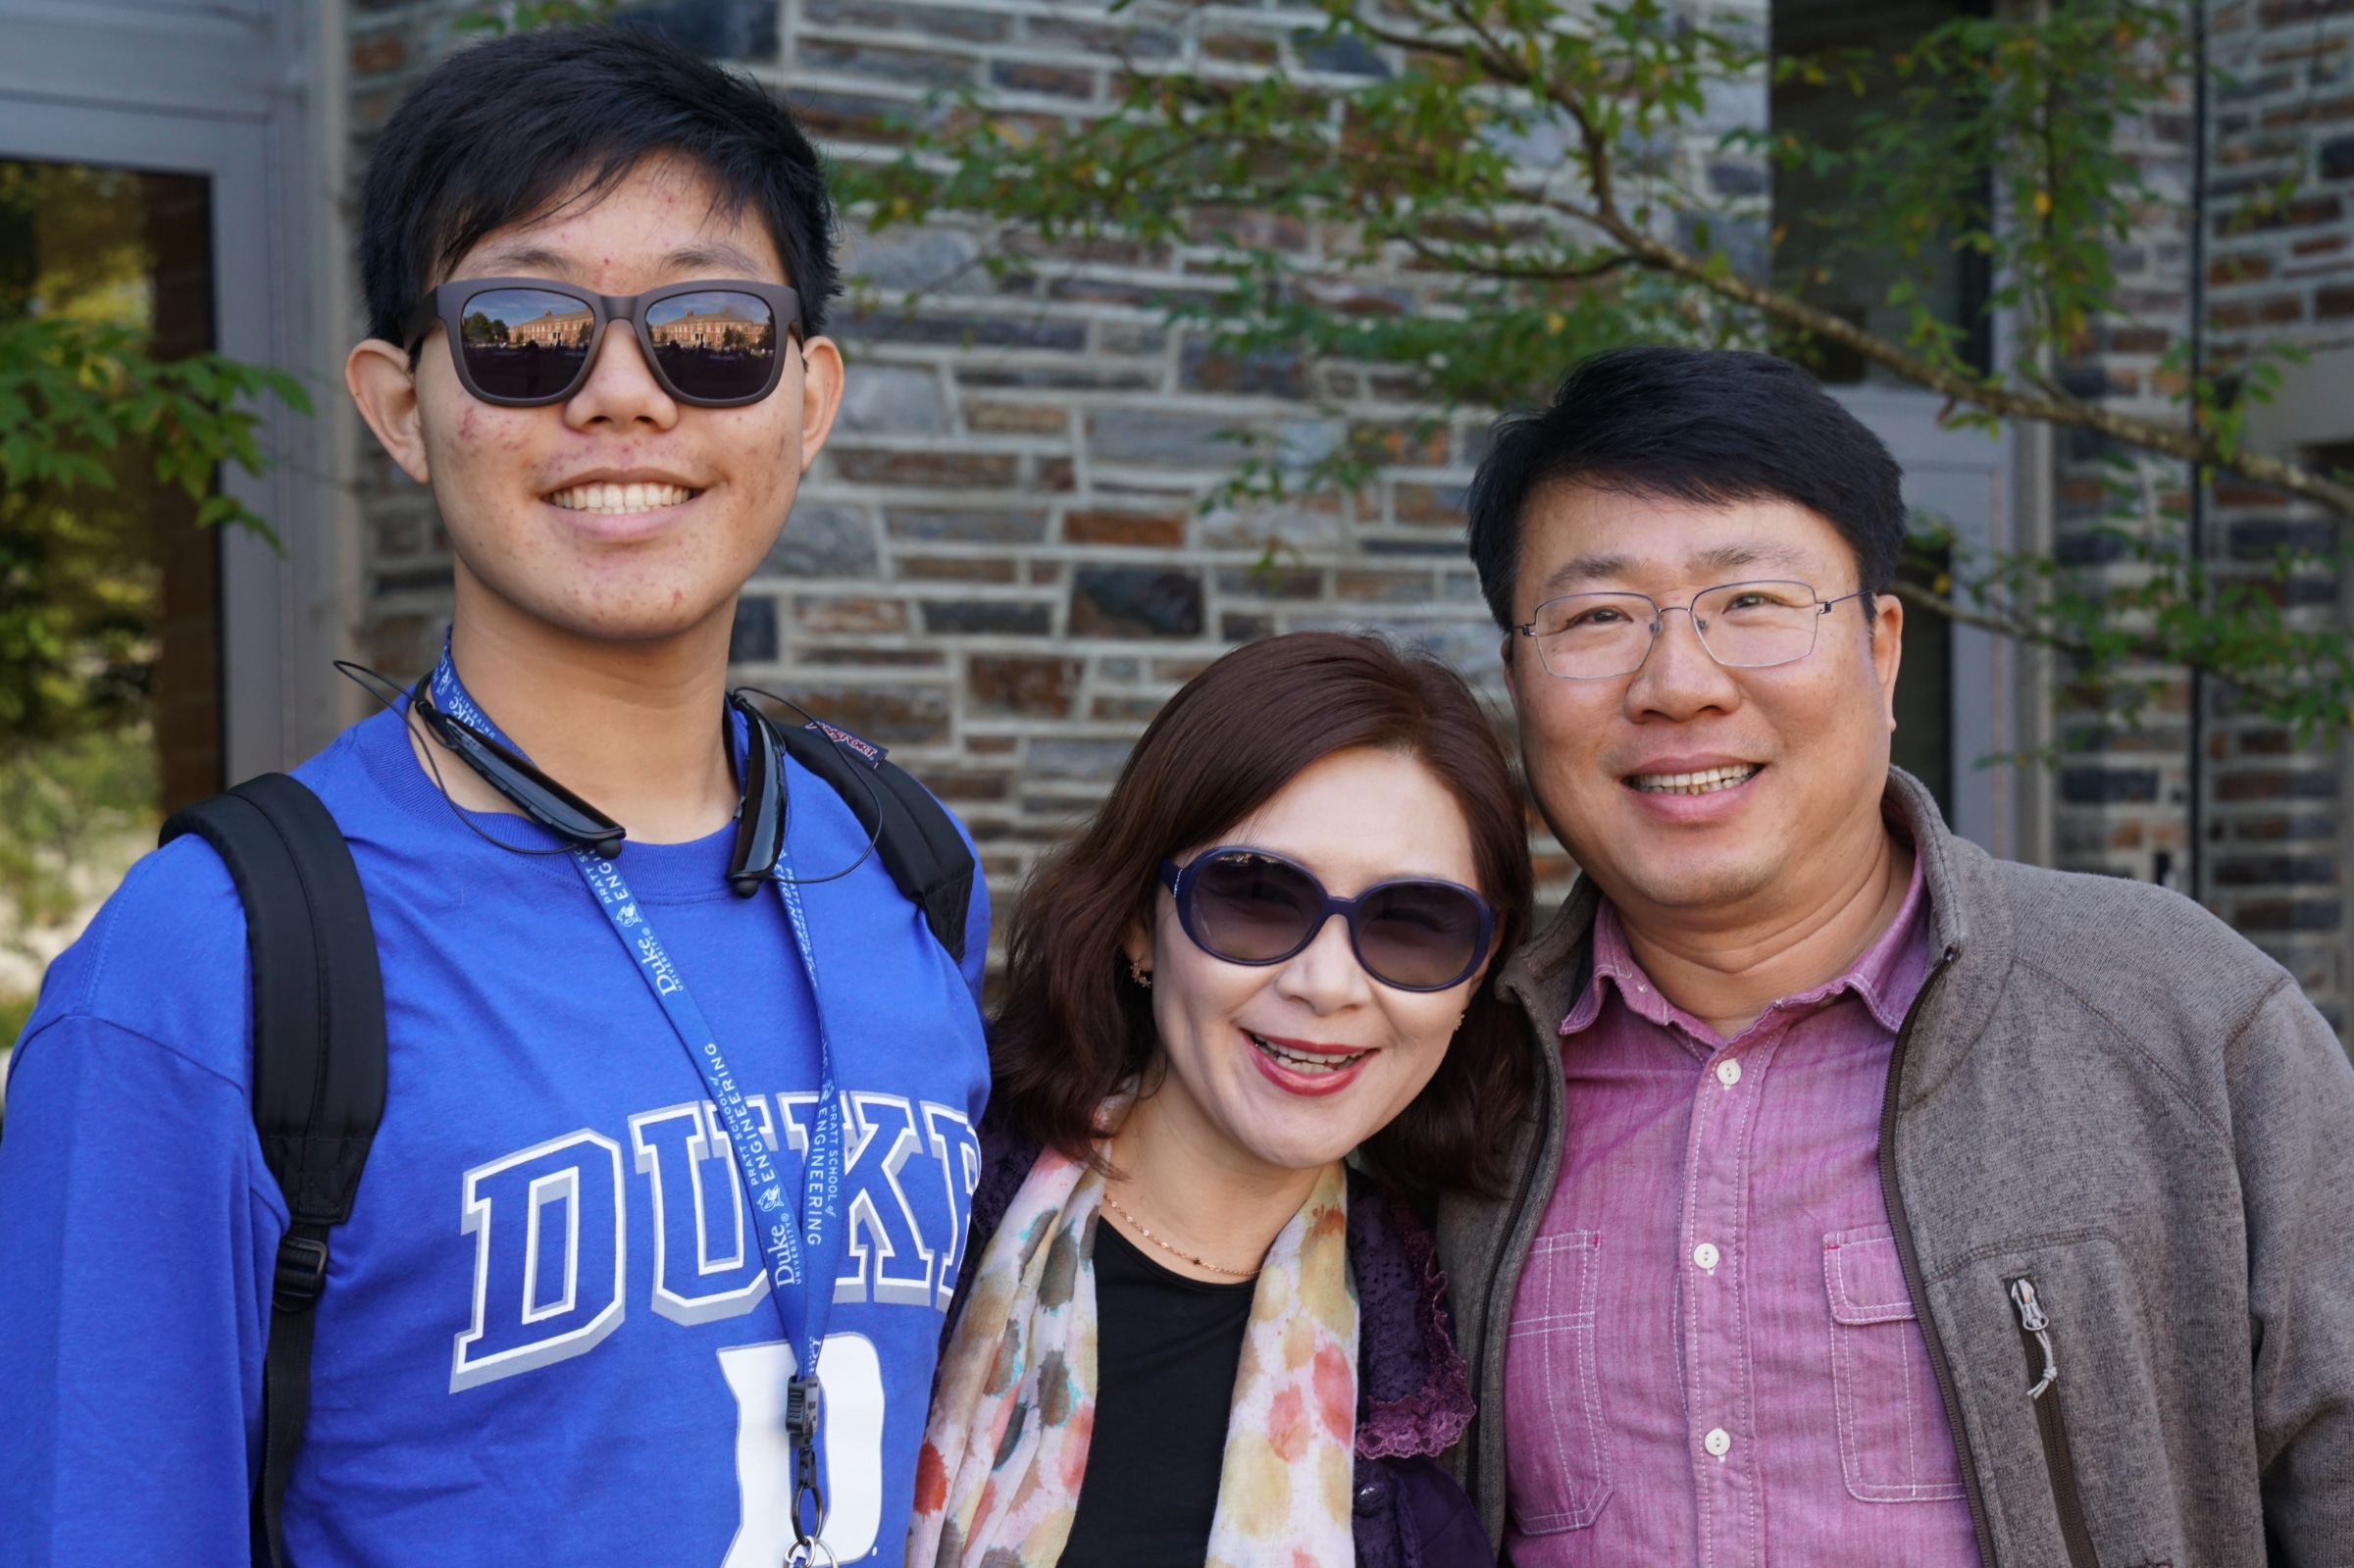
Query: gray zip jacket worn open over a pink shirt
2106	1094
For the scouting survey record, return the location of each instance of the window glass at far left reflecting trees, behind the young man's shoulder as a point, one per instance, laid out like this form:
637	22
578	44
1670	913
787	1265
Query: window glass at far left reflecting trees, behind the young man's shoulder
112	707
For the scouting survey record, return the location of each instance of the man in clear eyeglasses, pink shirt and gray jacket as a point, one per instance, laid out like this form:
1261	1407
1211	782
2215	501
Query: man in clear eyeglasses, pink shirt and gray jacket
1887	1204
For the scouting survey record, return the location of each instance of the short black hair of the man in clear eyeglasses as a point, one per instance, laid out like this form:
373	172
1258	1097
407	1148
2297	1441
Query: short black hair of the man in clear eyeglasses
1694	425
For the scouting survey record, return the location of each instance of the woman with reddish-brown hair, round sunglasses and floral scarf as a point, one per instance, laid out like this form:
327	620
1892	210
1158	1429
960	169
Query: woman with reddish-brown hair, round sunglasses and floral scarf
1185	1329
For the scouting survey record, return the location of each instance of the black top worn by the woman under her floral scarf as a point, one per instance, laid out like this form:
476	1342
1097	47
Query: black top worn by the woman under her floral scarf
1166	1350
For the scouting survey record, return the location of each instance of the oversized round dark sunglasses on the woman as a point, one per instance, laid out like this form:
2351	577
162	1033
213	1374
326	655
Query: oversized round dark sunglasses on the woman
1258	908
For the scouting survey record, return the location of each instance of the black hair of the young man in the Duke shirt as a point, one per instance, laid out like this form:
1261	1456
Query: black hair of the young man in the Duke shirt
507	131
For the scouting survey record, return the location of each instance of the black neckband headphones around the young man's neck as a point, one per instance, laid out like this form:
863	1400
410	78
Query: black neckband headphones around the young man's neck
762	809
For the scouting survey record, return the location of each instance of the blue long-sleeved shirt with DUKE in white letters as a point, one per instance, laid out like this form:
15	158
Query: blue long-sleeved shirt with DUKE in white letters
545	1334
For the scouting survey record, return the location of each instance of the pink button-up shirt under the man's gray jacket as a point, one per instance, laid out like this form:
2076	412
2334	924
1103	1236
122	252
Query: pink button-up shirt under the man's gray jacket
1713	1355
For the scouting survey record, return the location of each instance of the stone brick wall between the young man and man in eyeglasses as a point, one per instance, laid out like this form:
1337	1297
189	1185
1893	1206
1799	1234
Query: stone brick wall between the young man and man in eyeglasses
1004	564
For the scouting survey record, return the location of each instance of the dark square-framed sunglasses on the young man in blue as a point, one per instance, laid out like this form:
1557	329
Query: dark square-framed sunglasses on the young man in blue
528	343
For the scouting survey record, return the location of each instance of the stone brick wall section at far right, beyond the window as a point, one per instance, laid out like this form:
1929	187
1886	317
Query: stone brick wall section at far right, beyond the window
2280	270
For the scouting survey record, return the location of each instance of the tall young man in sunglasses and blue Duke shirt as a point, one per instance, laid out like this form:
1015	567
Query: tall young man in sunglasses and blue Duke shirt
627	1188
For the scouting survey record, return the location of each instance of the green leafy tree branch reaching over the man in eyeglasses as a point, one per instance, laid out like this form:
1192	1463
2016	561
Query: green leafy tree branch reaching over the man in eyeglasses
1477	192
